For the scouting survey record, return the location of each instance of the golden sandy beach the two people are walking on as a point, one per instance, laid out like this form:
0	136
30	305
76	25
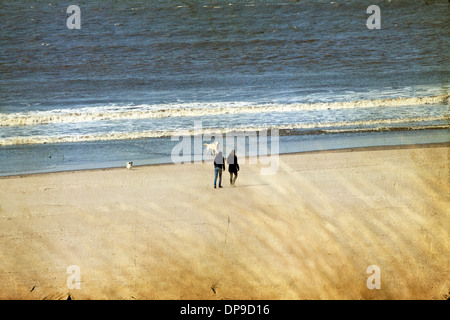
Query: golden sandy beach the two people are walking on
163	232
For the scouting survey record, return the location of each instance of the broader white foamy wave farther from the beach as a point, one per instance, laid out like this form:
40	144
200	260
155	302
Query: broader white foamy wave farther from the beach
109	113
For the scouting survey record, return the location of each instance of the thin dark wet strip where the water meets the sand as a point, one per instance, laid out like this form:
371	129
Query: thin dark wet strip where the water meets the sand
346	149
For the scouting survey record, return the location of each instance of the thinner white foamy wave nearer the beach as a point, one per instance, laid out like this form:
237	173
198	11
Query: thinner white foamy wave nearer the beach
296	129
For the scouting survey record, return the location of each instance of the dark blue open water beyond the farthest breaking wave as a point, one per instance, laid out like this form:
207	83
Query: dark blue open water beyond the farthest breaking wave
168	51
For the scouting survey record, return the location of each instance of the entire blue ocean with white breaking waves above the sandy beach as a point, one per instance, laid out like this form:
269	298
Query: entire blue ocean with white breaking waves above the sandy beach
138	75
